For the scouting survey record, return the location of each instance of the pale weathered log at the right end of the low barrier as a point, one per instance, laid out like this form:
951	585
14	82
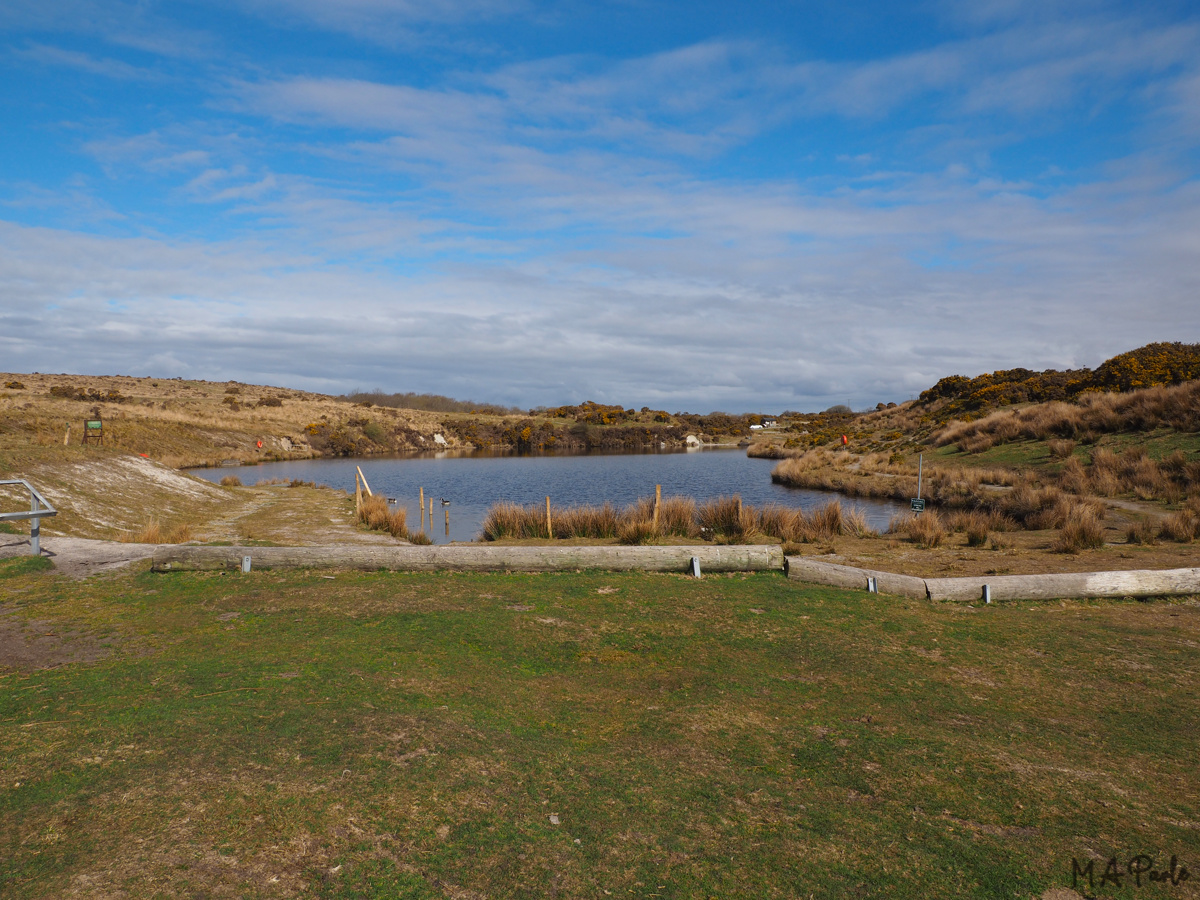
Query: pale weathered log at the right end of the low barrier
1144	583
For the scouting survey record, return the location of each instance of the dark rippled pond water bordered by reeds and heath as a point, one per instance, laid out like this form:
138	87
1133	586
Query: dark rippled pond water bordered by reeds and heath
475	482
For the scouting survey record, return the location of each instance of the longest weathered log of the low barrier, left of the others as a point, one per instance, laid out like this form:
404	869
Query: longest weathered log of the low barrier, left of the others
731	559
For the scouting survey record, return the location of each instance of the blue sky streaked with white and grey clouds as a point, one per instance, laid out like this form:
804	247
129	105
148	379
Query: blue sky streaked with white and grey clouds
691	206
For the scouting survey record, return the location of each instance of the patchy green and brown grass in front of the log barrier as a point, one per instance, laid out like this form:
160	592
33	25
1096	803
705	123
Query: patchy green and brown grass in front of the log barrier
584	736
